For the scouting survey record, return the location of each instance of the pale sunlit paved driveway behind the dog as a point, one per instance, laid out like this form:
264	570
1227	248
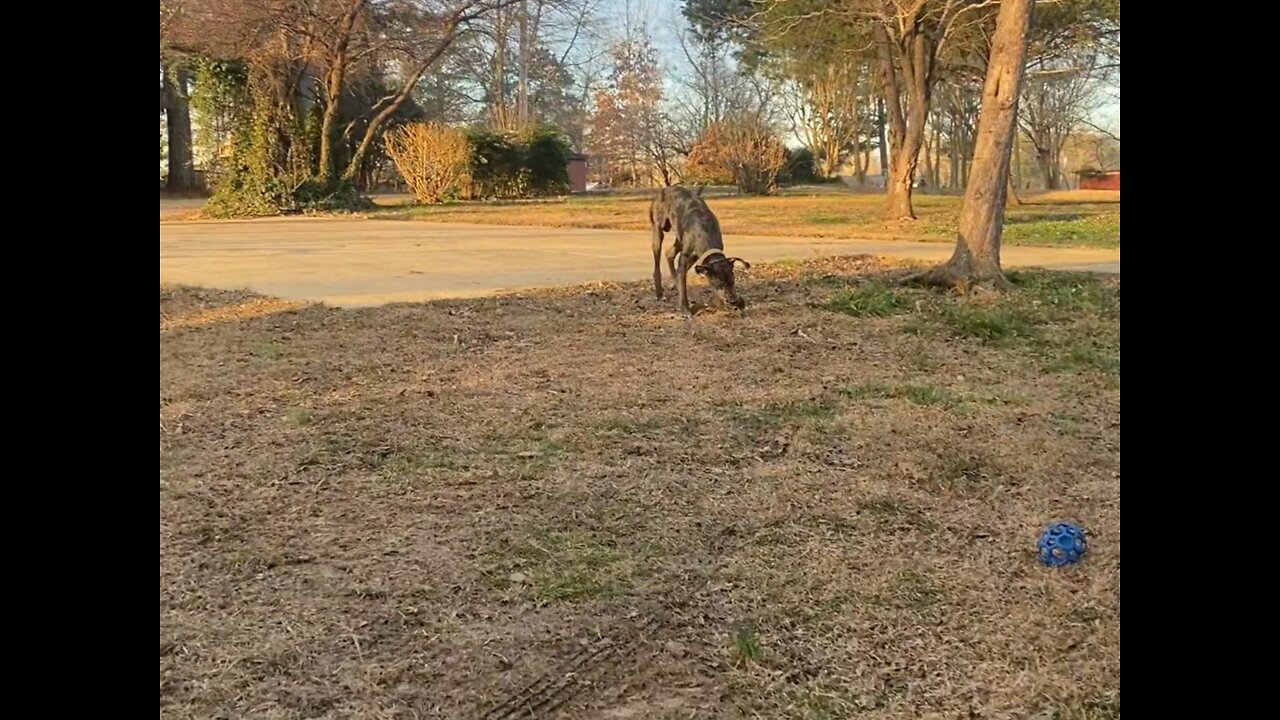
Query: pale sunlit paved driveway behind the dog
355	263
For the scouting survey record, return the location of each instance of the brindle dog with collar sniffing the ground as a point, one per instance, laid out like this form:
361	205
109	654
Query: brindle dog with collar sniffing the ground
697	244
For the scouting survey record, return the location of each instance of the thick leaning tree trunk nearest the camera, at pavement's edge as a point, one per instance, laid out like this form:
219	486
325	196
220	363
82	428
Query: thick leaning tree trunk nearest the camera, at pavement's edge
977	254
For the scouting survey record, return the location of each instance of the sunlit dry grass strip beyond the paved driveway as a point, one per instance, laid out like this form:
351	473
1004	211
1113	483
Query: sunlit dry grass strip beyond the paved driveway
1068	220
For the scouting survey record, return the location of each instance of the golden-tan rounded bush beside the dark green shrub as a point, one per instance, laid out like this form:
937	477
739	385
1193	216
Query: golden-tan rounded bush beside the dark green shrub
433	160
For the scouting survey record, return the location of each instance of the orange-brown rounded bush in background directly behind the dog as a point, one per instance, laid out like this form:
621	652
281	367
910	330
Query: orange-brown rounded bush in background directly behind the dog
746	154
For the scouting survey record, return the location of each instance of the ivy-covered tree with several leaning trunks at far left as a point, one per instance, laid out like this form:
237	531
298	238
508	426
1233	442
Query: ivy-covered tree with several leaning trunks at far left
304	63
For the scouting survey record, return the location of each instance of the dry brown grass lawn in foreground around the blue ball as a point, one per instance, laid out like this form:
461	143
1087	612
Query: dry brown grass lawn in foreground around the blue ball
574	504
